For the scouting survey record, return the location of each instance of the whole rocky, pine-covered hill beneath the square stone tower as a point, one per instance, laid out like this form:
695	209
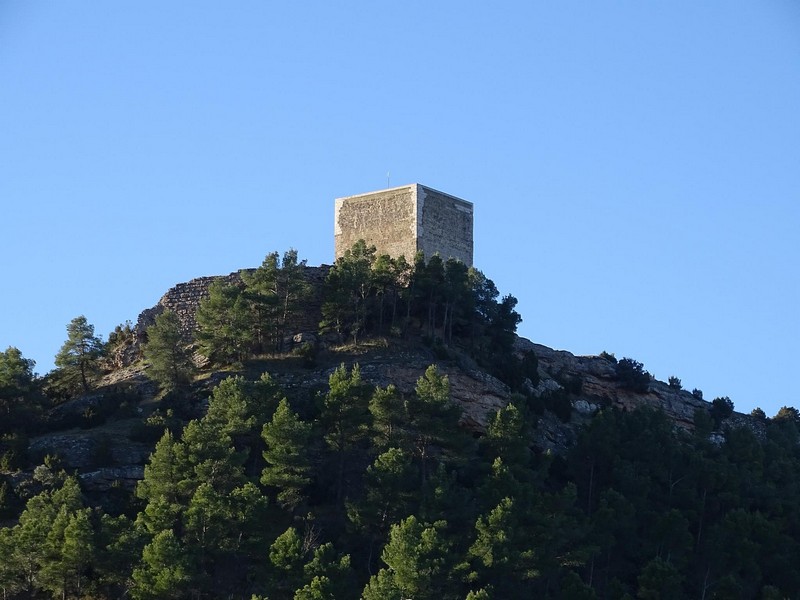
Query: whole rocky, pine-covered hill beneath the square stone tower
411	446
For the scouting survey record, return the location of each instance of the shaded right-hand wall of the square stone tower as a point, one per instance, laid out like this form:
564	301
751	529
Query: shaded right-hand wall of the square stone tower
444	225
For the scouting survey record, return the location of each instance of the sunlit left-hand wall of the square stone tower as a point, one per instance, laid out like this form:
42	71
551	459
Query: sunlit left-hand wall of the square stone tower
385	219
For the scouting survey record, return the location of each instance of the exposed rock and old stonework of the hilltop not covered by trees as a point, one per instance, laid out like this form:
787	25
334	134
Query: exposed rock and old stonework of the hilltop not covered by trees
580	385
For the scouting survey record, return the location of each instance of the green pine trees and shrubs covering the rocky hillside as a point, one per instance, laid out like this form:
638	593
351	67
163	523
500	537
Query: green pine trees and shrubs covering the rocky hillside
363	491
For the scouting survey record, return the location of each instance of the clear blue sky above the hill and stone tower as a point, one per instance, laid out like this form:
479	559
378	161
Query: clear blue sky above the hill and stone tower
635	166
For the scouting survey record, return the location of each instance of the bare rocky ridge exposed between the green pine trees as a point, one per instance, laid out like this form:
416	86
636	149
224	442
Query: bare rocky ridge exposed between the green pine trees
478	394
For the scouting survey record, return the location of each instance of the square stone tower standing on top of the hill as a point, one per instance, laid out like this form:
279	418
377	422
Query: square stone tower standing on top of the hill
405	219
